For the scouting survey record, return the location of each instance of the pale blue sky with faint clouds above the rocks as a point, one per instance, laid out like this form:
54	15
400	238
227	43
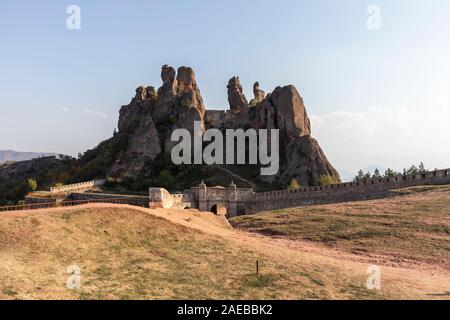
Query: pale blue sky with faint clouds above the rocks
374	96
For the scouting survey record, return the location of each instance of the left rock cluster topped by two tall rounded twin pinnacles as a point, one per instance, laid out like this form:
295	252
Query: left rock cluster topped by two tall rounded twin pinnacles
148	121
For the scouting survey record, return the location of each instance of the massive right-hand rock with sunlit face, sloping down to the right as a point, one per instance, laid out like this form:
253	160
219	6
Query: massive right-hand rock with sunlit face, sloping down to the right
300	155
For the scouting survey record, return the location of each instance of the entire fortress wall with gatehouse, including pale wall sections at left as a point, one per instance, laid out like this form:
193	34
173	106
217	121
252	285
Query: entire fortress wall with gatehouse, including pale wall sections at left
235	201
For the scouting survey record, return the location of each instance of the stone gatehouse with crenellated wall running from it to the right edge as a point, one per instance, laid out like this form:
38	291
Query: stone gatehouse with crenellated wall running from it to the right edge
241	201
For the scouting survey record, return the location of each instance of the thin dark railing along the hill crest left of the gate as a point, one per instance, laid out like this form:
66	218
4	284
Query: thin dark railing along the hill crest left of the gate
71	203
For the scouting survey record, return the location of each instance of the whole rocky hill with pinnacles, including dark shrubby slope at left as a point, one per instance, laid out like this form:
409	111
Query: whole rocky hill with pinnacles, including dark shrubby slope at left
138	155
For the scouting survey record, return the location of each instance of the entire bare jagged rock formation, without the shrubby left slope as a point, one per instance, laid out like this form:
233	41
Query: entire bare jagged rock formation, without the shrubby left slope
146	124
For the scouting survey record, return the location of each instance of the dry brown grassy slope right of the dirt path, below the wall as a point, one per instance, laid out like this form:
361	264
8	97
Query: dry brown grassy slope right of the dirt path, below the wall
410	229
